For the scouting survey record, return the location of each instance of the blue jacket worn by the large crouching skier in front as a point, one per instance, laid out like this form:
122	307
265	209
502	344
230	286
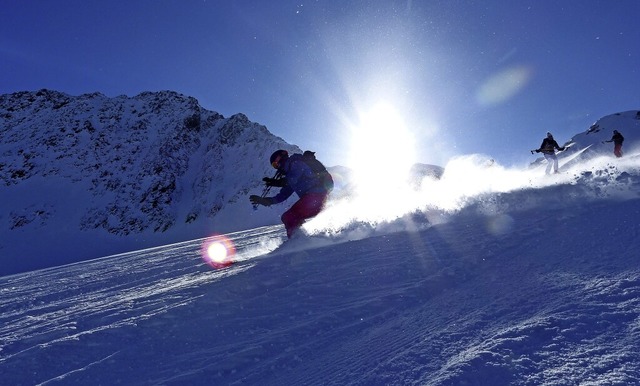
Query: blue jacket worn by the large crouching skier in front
300	179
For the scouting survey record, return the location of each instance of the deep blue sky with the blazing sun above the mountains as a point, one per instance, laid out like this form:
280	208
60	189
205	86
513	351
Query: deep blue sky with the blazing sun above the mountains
456	77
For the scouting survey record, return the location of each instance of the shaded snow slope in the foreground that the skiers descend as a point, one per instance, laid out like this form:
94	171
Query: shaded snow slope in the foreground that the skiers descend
538	285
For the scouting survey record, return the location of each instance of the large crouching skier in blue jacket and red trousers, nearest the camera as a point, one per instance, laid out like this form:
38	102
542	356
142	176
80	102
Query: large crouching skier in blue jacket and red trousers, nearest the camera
295	174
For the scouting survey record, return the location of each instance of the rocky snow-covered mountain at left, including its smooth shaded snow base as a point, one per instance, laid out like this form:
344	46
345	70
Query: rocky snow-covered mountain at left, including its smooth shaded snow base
86	176
